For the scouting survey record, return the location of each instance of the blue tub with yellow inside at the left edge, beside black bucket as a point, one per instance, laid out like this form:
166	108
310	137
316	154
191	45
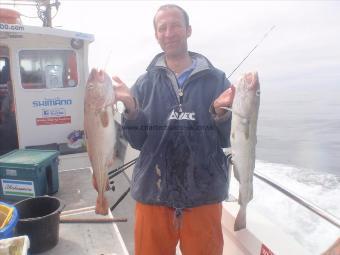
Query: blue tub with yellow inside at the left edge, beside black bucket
8	220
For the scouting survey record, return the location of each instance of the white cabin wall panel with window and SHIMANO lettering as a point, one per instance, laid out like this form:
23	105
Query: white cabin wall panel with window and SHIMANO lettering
49	96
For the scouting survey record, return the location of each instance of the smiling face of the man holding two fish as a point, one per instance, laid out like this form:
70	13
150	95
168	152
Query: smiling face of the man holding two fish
171	32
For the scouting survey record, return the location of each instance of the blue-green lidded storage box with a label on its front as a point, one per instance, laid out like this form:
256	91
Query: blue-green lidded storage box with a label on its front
28	173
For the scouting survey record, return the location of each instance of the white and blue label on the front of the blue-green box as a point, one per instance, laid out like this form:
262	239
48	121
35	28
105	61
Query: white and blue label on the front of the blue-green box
17	188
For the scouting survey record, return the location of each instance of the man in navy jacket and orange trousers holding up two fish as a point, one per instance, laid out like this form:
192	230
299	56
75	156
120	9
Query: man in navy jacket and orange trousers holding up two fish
173	117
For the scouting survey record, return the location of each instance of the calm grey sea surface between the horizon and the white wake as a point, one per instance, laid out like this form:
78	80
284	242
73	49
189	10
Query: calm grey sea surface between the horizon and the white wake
300	126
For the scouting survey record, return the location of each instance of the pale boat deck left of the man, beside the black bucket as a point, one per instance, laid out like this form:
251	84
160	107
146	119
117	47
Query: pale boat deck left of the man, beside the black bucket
79	197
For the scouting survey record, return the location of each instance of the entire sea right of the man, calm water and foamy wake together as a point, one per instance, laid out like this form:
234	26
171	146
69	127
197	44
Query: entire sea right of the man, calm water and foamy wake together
299	148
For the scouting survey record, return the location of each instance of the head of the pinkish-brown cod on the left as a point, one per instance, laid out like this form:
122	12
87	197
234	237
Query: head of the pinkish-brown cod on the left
99	91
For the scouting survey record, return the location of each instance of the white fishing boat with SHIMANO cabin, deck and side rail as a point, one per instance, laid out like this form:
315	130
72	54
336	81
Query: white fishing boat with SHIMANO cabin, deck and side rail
43	76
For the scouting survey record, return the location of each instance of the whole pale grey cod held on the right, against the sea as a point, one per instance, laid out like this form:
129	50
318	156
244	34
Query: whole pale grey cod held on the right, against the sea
245	110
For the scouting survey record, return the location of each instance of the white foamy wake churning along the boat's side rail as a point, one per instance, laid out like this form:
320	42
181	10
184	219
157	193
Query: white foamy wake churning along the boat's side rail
321	189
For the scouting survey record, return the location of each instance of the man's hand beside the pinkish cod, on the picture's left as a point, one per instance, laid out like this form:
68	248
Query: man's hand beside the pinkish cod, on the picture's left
123	94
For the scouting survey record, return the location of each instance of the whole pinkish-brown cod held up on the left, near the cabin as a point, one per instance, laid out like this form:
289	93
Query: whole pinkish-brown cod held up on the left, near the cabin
100	132
